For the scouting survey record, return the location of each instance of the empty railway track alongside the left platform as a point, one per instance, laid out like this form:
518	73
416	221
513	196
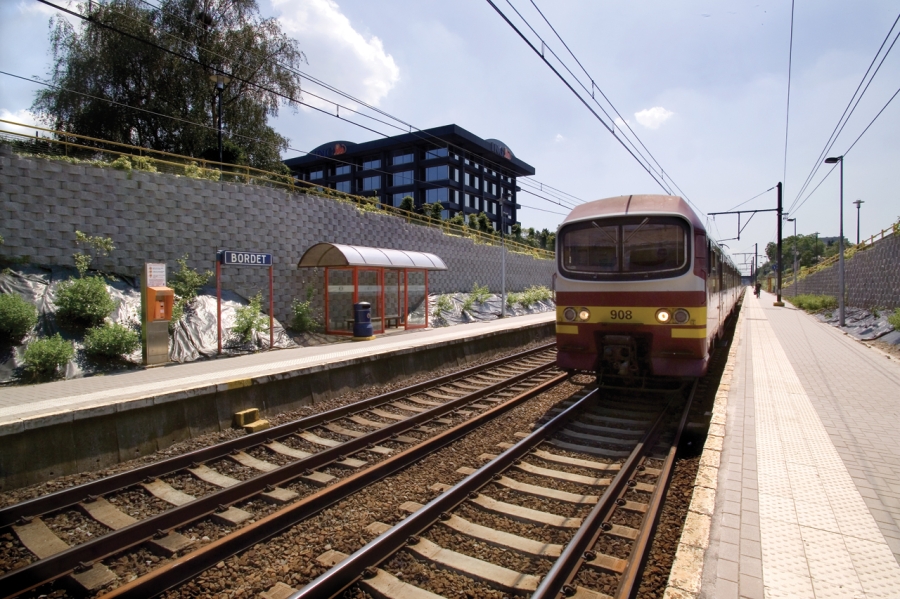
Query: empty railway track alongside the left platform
254	486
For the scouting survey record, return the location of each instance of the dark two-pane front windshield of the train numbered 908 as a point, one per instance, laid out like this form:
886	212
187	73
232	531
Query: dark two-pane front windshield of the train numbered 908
625	248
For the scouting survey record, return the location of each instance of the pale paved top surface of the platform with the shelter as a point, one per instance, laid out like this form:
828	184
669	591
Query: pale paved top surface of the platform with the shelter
63	400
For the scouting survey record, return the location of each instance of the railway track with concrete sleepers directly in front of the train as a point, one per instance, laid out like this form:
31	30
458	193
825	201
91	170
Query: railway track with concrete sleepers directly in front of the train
567	511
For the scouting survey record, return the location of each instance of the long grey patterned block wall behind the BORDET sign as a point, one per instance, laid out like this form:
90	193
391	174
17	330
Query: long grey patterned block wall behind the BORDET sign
155	217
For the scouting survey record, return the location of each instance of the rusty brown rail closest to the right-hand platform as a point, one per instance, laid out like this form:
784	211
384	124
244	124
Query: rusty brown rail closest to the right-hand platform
631	579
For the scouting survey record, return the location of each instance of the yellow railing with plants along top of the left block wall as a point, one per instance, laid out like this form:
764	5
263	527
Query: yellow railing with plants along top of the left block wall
83	149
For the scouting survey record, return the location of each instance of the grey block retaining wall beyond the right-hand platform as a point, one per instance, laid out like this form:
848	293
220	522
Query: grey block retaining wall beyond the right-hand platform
872	277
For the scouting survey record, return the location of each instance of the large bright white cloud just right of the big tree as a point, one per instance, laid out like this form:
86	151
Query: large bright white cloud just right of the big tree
339	54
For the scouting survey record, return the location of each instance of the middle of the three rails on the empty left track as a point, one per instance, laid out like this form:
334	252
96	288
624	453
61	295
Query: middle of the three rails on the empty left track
42	571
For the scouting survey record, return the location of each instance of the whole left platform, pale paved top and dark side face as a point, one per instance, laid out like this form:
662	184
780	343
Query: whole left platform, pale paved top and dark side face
88	423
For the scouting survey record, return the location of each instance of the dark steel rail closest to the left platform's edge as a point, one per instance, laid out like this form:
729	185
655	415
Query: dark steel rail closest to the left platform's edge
71	496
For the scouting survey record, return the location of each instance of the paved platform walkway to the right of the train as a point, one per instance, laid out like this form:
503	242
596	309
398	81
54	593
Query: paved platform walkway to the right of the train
809	485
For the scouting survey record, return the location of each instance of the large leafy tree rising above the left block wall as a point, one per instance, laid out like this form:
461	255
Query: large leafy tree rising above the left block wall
203	38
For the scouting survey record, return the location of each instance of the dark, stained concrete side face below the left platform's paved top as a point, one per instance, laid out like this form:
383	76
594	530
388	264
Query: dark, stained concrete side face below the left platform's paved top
101	441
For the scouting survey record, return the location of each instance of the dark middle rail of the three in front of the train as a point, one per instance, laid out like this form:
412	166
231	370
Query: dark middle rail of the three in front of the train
558	580
